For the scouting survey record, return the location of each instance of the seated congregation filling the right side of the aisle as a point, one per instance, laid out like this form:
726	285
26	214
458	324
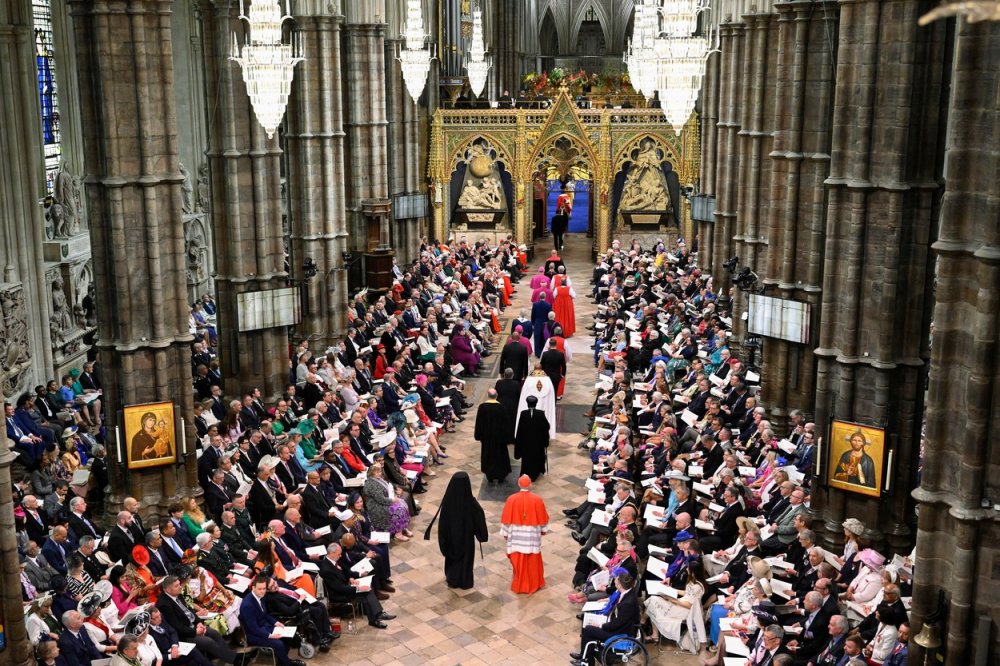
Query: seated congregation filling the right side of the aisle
695	528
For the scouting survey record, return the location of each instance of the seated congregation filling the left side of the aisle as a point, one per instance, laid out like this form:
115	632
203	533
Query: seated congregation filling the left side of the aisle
302	499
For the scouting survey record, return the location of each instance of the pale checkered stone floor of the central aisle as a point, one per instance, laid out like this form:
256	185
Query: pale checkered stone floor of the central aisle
490	624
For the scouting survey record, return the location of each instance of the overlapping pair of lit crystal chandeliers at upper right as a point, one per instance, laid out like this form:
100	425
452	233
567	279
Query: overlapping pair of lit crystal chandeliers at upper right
667	57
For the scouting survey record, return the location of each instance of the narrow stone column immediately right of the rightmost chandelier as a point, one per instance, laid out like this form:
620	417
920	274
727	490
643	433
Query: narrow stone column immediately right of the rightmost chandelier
730	72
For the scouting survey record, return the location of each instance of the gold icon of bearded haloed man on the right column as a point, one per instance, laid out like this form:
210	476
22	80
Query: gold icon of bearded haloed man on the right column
856	458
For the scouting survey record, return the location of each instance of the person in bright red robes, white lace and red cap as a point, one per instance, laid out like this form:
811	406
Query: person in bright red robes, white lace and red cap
522	524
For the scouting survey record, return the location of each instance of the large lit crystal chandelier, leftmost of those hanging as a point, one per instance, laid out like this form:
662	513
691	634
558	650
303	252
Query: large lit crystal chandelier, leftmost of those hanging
268	63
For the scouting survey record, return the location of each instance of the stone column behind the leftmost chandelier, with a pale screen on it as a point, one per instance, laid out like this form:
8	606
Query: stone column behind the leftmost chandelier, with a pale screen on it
245	178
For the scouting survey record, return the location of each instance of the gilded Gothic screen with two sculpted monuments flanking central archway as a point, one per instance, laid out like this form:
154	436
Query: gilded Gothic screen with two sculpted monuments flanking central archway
487	167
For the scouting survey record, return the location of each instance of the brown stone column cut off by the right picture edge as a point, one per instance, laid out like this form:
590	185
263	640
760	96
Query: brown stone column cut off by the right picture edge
956	550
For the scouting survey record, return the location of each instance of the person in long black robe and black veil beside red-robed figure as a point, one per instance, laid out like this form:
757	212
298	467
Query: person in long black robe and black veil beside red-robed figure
463	522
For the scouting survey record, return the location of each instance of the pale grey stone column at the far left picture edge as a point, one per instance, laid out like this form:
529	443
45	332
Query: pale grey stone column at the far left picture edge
24	318
